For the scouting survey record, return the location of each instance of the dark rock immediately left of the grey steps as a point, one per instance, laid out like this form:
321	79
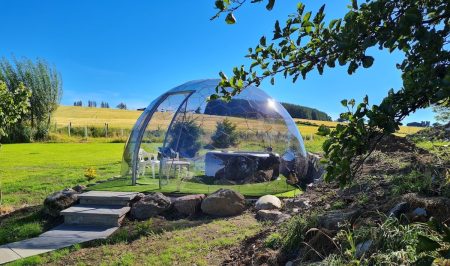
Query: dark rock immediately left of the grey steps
59	201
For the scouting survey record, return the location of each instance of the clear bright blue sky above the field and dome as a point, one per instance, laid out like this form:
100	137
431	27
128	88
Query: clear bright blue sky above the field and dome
132	51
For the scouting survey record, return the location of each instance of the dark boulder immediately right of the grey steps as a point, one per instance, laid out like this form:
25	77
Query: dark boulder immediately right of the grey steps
149	206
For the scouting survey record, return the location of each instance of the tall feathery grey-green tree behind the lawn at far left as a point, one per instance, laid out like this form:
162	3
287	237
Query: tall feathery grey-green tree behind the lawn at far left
45	85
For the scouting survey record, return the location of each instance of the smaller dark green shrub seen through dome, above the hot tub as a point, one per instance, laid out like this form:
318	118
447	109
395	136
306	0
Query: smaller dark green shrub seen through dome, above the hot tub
225	135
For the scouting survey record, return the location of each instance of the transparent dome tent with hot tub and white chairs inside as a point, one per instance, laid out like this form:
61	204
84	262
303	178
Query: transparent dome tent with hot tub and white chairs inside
183	143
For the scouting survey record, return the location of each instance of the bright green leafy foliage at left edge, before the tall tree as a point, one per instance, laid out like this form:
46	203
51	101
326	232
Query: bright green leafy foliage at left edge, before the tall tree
13	104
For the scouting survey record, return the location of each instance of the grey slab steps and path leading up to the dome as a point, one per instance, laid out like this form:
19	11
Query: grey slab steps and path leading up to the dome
82	223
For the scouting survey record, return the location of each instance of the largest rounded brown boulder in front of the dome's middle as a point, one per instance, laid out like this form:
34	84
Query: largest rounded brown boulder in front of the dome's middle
224	202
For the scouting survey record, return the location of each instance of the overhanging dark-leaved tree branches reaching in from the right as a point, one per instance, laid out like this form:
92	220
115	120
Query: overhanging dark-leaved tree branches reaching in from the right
417	28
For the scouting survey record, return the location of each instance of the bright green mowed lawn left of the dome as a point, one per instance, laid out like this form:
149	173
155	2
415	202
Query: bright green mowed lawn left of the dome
29	172
